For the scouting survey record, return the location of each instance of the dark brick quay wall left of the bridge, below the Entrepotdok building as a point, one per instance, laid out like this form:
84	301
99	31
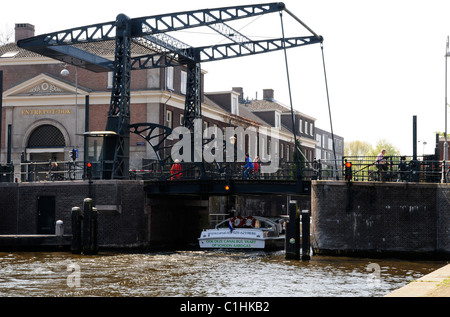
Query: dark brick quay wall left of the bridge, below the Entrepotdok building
122	219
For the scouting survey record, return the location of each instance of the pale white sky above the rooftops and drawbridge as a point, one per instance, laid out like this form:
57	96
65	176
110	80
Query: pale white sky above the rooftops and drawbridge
384	60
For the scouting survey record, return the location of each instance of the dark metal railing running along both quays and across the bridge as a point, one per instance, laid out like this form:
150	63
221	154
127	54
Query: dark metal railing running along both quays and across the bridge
363	169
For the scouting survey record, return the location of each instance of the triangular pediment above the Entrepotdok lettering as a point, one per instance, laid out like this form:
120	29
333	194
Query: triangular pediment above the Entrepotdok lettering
43	85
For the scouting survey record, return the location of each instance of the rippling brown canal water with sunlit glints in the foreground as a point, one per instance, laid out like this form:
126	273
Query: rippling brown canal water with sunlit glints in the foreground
202	274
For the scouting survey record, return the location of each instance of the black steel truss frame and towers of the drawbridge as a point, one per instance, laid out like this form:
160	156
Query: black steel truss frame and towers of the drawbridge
151	34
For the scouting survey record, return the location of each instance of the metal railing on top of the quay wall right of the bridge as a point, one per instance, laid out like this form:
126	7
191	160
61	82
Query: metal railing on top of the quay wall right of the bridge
395	169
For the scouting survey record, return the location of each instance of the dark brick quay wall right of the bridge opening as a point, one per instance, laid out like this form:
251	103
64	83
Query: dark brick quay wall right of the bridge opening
382	219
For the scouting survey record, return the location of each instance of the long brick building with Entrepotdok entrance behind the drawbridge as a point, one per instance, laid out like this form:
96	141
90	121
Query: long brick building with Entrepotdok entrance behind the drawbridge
43	109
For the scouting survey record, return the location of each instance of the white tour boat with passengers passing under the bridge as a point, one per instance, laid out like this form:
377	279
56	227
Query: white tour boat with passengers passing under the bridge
252	232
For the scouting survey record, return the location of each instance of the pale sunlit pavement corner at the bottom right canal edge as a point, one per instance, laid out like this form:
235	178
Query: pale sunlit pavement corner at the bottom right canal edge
435	284
